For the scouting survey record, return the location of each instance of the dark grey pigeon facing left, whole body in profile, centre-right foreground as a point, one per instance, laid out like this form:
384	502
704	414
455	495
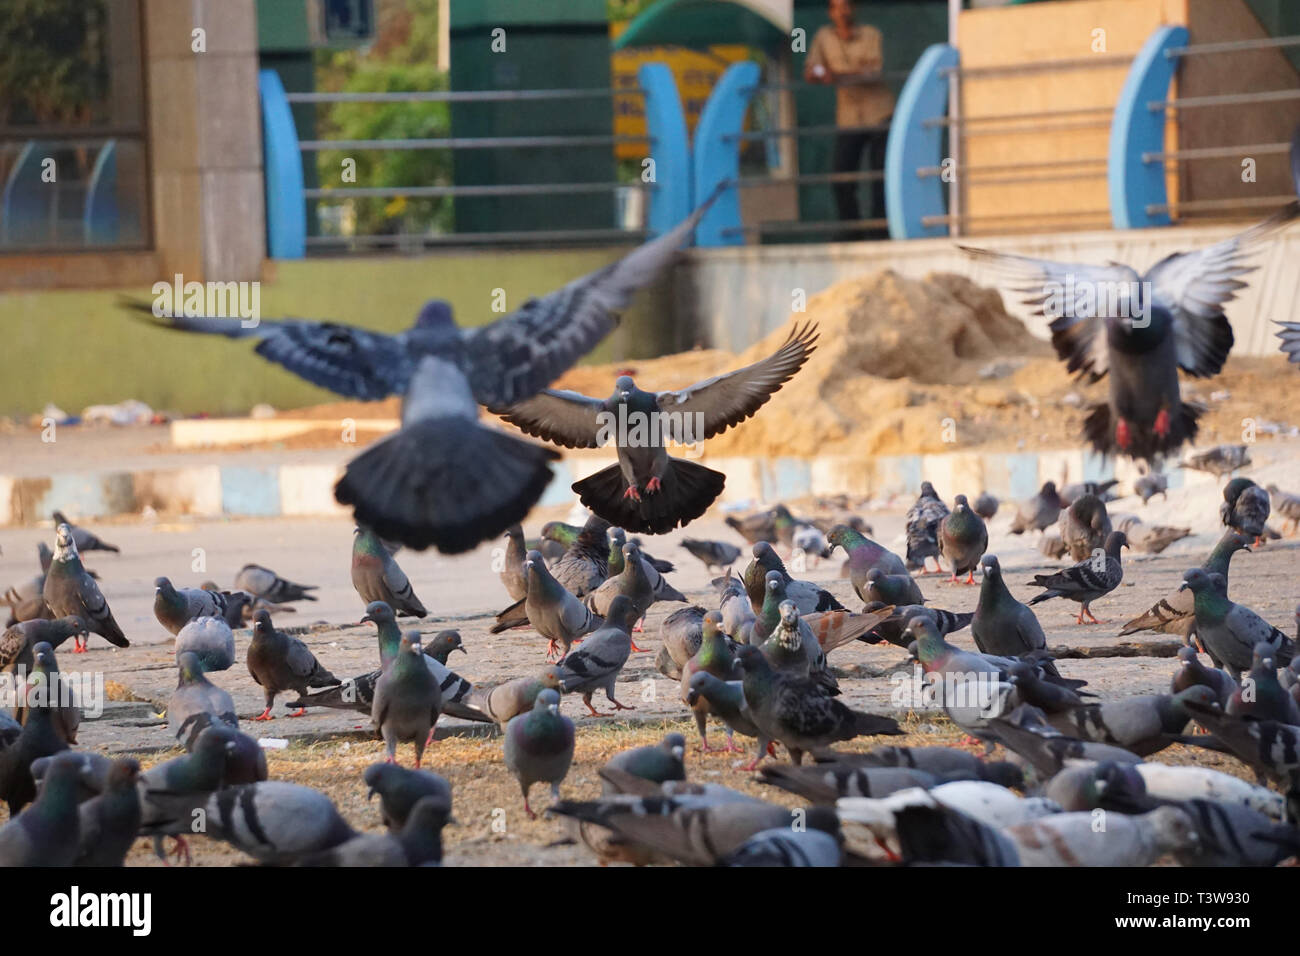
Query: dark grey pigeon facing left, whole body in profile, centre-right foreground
796	711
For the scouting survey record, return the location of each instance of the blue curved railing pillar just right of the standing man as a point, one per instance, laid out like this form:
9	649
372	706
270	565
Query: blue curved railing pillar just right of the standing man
913	145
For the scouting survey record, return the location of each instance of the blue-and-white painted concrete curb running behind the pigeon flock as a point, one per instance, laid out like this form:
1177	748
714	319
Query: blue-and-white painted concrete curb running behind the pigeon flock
233	491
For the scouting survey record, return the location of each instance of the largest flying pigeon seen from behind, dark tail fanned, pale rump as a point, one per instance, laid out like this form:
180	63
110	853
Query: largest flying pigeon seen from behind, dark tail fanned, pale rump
444	479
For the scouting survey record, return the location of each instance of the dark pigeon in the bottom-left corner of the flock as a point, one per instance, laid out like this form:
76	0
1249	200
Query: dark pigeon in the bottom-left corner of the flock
47	833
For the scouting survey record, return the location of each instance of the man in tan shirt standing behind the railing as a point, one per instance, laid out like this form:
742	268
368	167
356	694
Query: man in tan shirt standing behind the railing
851	58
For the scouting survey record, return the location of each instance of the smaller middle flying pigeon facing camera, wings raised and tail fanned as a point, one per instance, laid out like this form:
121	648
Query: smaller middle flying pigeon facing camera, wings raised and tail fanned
648	491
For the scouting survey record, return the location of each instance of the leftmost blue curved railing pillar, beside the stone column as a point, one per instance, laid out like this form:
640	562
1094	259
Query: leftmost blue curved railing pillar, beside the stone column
283	168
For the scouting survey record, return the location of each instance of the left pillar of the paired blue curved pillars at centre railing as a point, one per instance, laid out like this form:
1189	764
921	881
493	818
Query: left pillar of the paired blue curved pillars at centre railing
673	196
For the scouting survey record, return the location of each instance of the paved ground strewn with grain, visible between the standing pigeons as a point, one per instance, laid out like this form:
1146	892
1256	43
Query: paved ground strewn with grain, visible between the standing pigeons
331	749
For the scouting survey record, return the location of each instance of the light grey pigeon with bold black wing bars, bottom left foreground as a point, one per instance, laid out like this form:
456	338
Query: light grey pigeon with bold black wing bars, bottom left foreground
272	821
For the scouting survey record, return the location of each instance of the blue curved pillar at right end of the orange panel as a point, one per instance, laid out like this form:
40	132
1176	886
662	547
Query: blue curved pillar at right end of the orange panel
1137	129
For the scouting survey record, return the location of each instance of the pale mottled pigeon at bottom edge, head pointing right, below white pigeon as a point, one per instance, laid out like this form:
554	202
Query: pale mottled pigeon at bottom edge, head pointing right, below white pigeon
1074	840
